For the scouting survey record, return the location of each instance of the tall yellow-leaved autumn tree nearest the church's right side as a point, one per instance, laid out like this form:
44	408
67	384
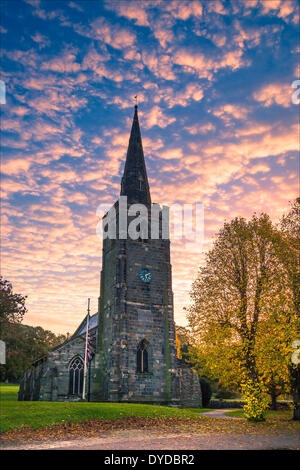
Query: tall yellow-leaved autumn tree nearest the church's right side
230	297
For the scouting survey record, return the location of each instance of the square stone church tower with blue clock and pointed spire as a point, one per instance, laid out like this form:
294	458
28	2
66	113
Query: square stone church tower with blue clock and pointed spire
136	339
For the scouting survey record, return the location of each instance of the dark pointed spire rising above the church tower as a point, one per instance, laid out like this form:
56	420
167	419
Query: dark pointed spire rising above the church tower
134	183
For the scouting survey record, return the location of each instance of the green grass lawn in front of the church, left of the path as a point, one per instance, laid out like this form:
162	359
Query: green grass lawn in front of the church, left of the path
15	414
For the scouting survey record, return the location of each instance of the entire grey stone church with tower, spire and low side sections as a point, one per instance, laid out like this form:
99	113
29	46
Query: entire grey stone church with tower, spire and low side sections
133	354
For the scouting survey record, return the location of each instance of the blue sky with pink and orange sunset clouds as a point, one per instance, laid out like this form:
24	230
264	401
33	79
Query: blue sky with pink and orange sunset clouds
214	85
